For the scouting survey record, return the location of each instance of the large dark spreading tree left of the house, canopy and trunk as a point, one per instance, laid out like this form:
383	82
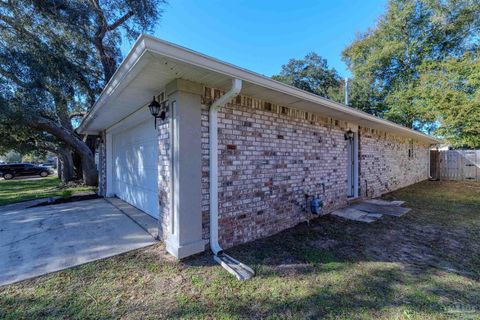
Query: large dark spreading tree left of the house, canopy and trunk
55	56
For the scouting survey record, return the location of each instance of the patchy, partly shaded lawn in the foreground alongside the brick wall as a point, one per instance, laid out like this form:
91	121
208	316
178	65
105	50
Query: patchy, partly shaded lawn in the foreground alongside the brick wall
425	265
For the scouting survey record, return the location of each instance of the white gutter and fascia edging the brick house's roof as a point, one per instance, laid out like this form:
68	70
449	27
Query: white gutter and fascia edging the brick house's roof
146	43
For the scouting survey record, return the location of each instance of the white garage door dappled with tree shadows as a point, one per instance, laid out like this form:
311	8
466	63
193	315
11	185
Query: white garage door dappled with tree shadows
135	156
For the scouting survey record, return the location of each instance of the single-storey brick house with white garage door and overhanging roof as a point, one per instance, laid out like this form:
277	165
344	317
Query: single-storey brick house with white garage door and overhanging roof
275	144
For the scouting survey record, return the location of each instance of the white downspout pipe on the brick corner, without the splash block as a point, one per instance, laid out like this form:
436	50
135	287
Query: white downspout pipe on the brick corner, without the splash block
213	142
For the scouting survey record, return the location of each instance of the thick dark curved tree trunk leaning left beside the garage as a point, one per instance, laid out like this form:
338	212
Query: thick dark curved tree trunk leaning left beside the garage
89	170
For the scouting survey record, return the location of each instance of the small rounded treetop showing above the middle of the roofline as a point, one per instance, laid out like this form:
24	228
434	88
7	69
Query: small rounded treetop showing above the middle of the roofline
311	74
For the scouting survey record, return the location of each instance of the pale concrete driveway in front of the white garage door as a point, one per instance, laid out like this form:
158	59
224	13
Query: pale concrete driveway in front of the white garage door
40	240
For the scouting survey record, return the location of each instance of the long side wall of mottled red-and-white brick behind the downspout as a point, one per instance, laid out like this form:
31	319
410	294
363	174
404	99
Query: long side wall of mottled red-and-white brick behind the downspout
270	156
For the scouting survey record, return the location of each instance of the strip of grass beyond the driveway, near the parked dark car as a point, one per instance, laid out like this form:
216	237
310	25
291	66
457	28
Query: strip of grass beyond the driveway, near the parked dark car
12	191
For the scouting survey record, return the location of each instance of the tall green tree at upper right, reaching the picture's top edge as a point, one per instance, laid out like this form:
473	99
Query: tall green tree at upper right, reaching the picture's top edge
390	58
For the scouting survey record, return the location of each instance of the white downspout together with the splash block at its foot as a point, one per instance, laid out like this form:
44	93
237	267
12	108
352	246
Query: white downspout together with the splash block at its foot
238	269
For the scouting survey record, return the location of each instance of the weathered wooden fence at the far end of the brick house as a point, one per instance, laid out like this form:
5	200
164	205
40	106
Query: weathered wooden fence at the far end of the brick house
455	165
